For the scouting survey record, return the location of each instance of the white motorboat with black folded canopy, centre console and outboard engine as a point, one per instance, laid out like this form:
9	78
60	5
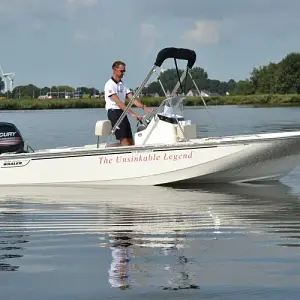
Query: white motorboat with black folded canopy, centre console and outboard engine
167	149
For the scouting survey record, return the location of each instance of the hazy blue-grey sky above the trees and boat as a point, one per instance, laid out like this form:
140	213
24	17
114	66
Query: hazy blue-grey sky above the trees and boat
74	42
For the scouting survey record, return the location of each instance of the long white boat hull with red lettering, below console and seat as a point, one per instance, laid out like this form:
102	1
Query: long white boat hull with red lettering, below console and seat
244	159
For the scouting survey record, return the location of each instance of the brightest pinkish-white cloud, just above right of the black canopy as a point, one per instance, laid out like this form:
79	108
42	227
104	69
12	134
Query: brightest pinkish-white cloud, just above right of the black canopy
205	32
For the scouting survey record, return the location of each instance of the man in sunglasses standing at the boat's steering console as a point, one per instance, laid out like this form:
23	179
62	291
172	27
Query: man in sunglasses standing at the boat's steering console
115	93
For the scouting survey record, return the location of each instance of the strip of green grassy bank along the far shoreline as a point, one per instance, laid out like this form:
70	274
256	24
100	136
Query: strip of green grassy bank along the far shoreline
254	100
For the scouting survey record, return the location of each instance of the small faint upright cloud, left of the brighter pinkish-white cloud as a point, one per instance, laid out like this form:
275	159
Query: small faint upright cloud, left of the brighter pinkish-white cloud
149	36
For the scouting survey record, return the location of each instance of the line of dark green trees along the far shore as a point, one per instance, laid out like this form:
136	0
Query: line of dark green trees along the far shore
273	78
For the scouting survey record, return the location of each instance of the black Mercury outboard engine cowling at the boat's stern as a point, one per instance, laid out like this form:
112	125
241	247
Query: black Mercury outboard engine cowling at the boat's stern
10	139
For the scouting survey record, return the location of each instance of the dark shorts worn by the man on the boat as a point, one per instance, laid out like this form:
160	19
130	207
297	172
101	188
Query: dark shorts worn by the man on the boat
125	128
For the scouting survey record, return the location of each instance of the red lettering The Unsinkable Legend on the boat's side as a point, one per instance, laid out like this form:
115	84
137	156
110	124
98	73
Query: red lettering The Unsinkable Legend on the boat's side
145	157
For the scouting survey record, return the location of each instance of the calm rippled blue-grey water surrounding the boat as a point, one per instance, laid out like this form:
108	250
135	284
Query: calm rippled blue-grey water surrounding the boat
208	242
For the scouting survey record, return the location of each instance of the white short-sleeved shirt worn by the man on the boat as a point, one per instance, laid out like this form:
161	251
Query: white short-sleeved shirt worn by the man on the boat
112	87
